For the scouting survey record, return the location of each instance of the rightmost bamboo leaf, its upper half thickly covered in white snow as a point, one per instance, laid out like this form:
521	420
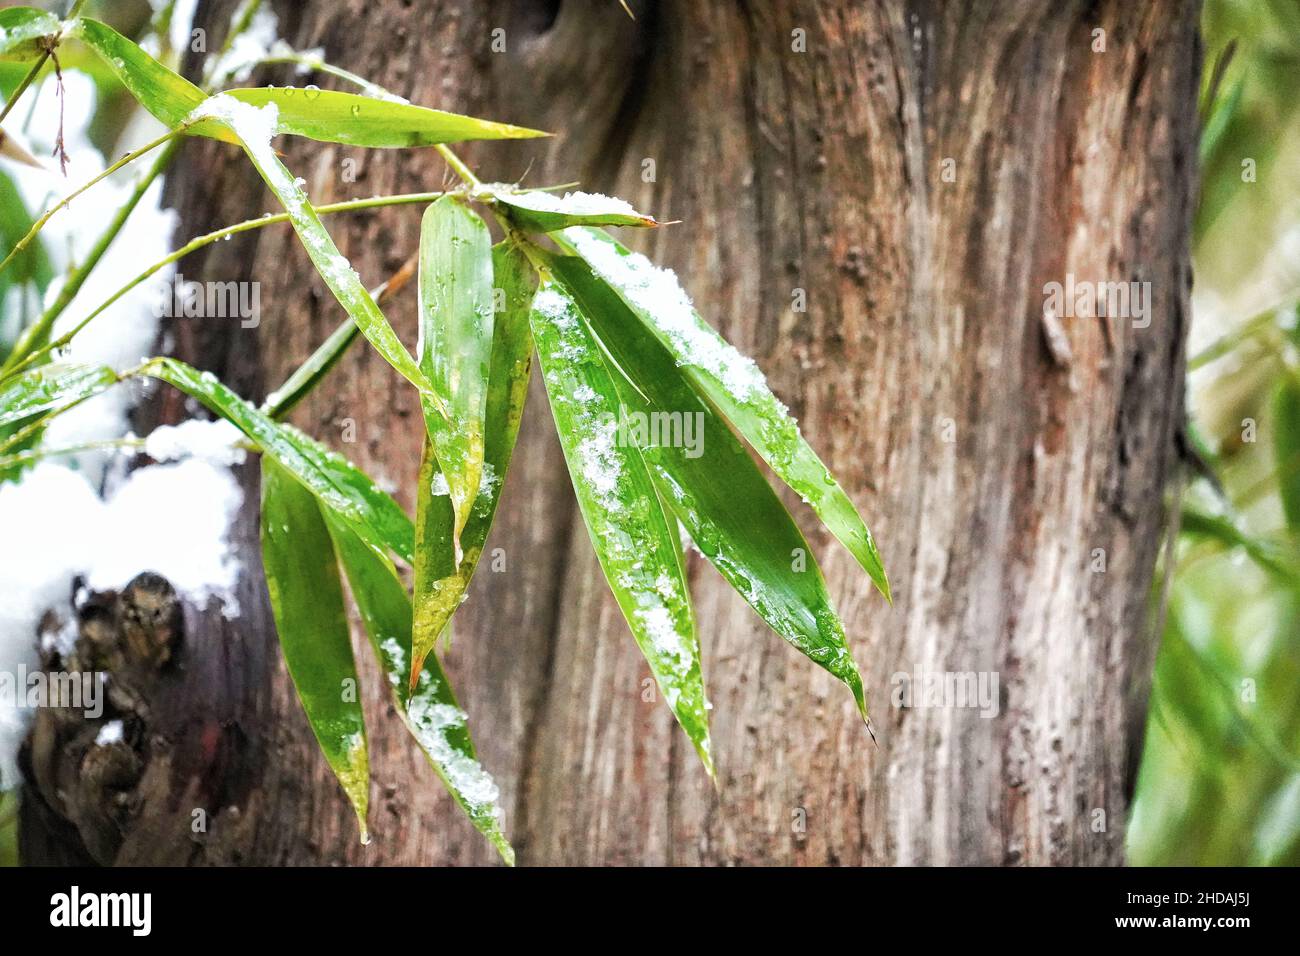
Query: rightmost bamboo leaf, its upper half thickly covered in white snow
733	383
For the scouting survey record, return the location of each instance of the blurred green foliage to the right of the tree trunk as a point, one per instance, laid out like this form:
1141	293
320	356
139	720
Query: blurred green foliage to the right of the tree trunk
1220	781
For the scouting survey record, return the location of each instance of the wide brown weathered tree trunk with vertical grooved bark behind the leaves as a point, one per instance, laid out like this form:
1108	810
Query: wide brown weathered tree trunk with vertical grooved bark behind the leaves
920	171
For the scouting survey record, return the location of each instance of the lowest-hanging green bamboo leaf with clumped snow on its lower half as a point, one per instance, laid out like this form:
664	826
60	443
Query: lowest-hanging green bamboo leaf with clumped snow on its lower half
431	713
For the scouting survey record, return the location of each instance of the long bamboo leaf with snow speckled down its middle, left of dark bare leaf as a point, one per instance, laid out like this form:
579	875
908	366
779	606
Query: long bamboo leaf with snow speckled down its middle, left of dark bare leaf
638	548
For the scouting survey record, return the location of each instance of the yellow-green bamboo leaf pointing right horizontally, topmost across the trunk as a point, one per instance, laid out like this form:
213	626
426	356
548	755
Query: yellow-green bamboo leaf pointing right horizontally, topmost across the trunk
345	118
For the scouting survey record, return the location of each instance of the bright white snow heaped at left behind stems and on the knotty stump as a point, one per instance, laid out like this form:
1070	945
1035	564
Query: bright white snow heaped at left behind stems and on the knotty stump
171	518
